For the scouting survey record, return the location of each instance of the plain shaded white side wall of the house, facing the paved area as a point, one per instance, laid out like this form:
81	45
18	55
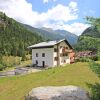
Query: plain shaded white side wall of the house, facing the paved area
48	59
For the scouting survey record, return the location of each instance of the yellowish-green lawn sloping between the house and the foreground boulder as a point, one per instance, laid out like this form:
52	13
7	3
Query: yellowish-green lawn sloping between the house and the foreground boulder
15	88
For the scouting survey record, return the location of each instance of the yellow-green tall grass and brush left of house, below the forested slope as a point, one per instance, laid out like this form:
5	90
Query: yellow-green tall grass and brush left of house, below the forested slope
12	61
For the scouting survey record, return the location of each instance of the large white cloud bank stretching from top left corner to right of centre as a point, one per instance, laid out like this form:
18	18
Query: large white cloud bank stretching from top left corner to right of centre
22	11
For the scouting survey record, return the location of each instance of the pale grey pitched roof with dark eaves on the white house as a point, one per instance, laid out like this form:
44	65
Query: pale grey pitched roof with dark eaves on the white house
48	44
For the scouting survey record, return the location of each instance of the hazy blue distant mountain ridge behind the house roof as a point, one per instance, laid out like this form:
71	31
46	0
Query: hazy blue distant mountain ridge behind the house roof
51	34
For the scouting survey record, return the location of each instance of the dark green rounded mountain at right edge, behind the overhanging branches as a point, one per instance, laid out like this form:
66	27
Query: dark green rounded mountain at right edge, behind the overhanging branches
89	40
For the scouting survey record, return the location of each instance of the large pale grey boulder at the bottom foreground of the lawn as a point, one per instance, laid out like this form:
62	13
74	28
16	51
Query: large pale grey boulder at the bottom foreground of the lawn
58	93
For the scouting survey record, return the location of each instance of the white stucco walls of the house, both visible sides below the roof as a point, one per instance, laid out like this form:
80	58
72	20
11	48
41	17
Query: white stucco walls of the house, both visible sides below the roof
50	54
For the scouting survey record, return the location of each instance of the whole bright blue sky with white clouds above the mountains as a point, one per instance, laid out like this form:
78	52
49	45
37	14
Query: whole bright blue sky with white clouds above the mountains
56	14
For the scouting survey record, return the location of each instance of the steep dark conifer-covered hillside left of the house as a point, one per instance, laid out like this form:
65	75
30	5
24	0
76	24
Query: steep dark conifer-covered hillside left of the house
14	38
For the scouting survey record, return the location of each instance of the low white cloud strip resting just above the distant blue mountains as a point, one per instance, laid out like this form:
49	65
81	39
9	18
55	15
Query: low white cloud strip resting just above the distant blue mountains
76	28
